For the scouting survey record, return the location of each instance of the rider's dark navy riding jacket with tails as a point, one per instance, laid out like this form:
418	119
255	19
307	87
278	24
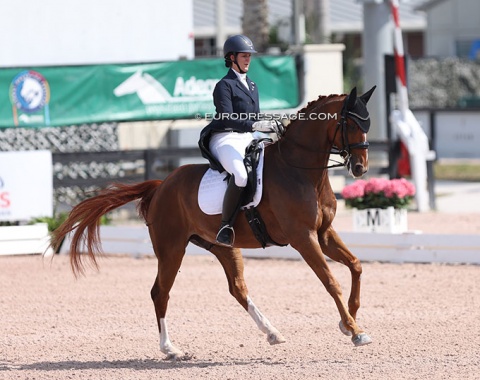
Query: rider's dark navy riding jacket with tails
234	106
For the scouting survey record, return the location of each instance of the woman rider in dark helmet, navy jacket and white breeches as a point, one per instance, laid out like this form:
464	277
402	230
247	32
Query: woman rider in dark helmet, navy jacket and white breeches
224	140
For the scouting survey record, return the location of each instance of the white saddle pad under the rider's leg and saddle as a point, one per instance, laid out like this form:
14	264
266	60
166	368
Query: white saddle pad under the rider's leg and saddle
213	187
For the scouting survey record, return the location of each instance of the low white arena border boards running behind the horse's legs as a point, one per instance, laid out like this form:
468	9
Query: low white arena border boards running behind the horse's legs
384	247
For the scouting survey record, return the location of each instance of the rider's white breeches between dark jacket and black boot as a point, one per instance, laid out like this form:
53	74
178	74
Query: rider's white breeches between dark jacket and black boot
229	149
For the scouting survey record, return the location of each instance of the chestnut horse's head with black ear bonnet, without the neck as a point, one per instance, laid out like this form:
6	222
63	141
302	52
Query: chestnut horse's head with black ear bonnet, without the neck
350	137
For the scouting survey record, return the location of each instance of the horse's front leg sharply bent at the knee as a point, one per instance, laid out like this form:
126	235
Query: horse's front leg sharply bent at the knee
333	246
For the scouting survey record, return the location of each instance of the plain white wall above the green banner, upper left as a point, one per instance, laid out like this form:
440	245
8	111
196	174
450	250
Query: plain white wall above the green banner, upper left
69	32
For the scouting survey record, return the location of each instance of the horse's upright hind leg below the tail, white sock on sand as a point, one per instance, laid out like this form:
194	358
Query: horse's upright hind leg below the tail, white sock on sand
169	261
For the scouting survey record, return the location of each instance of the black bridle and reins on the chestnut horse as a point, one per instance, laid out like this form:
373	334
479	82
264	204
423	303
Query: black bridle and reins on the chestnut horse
345	152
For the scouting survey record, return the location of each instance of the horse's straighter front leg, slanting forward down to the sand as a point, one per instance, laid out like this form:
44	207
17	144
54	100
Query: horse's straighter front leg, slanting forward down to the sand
309	248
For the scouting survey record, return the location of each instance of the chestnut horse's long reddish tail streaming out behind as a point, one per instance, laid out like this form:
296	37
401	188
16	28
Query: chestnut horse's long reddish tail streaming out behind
85	219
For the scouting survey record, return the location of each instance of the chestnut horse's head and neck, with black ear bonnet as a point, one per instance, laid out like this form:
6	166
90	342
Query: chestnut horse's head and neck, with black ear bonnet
346	120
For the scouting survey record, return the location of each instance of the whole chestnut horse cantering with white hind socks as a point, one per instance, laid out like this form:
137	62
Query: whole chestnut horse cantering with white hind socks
298	207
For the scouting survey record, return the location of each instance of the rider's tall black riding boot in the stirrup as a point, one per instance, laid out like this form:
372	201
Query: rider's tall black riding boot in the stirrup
231	205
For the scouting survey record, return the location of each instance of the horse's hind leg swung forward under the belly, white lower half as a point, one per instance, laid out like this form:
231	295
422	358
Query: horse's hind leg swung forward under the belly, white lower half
232	263
